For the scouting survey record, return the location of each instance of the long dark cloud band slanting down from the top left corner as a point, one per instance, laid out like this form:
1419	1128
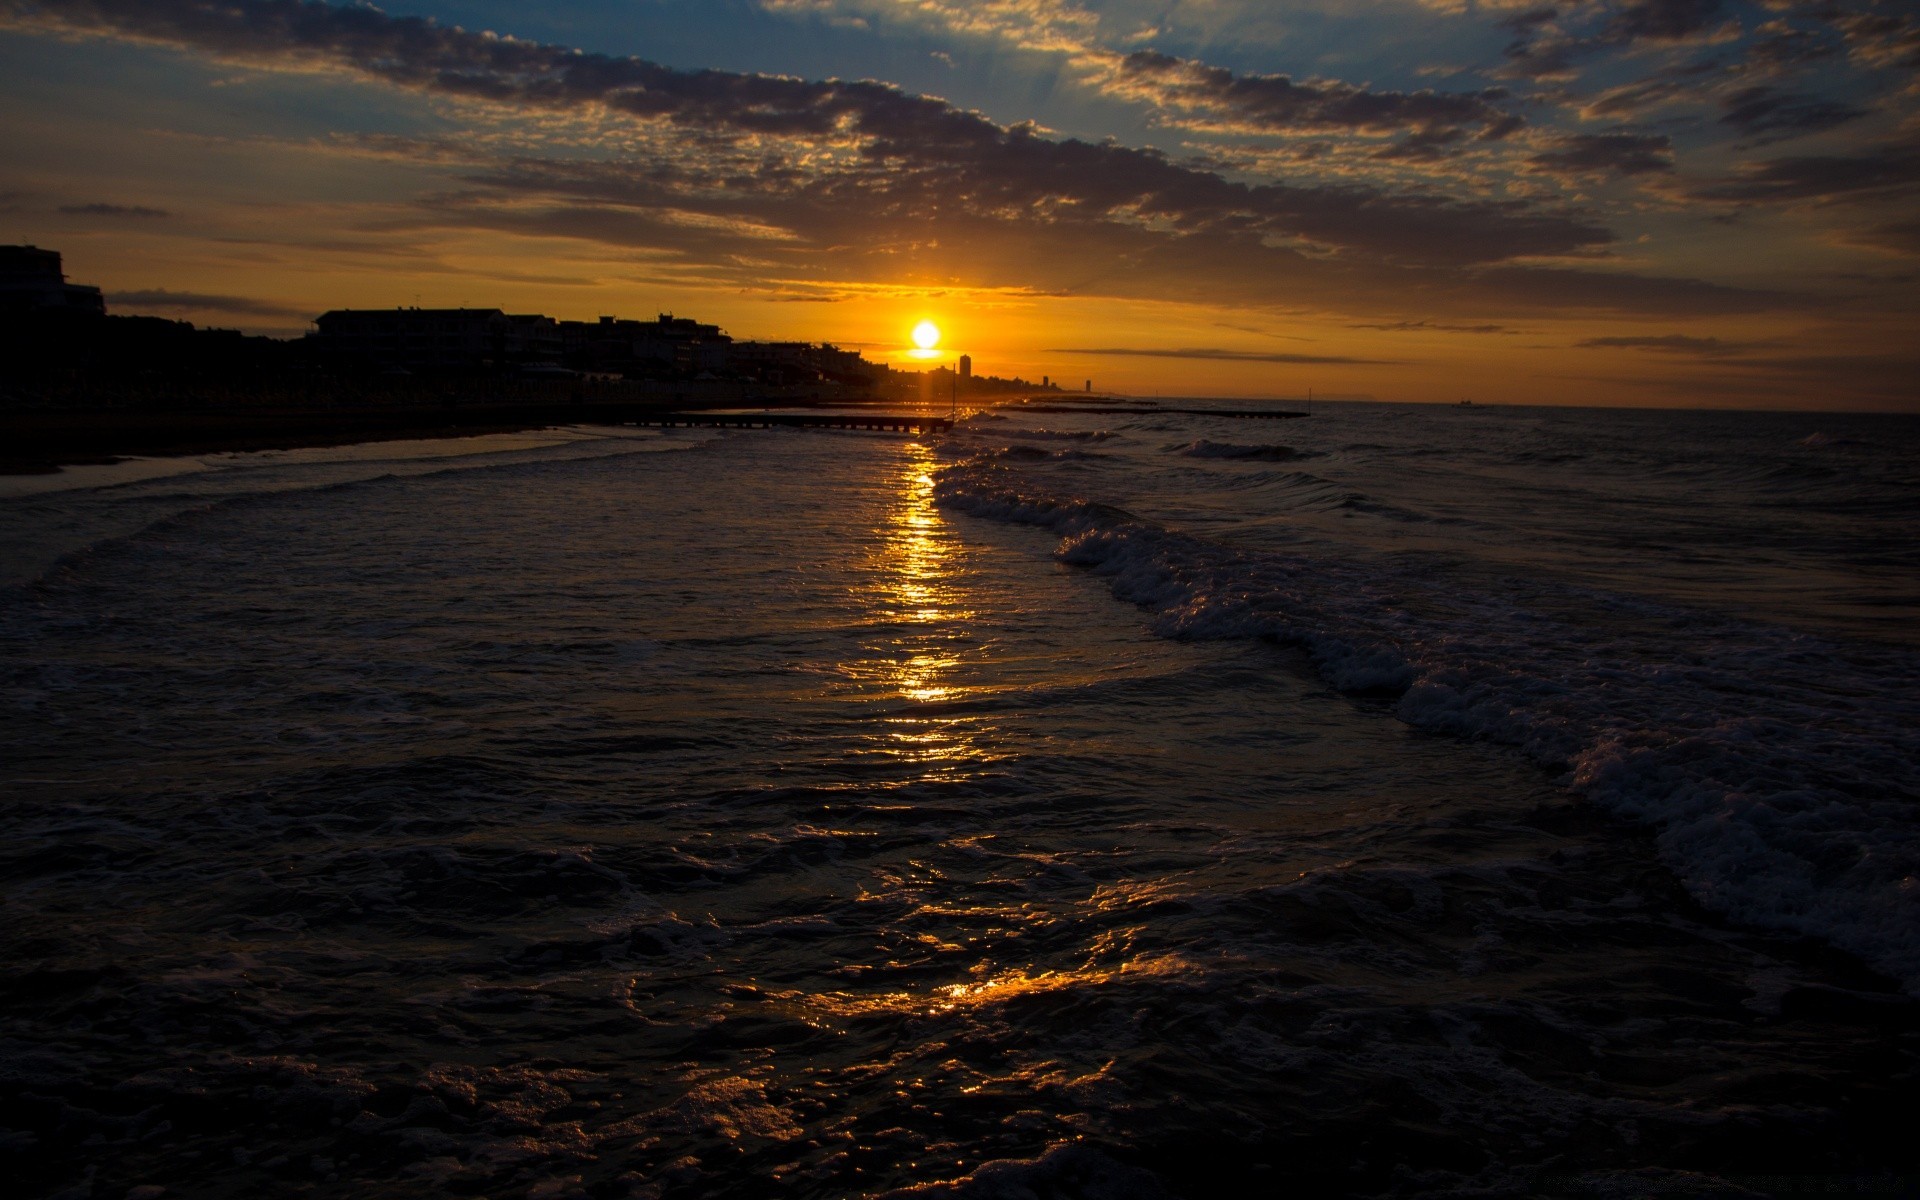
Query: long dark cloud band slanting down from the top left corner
896	151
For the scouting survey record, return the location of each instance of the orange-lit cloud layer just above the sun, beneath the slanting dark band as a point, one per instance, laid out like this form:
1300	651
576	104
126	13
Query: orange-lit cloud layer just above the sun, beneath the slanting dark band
836	243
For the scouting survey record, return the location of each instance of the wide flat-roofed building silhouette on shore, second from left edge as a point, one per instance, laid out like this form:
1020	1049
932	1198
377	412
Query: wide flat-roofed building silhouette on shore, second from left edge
439	339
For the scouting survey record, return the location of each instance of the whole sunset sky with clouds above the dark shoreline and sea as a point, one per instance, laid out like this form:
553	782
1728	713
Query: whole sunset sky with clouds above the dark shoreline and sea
1600	203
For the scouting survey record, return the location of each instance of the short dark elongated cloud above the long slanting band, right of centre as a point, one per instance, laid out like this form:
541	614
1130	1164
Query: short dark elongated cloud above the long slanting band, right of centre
1278	105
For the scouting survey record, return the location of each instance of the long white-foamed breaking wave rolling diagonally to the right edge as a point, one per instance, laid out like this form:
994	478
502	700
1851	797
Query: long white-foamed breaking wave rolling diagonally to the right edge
1775	769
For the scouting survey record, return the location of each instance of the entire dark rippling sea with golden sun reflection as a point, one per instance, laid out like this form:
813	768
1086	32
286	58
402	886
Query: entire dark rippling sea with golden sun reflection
1132	804
